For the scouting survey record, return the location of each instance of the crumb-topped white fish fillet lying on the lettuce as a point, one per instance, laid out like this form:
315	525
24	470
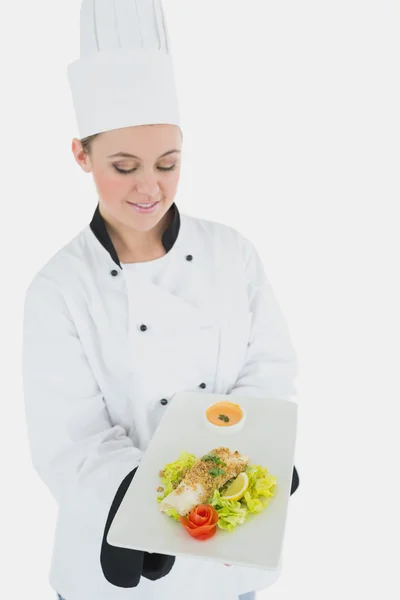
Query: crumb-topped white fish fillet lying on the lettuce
198	485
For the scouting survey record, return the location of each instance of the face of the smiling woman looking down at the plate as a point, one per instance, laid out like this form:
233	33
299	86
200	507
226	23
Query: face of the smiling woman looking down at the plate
149	175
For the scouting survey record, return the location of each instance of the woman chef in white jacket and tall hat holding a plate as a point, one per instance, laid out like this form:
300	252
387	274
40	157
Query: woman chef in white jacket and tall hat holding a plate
143	303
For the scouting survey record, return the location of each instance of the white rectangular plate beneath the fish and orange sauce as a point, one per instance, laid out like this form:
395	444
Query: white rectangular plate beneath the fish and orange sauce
268	438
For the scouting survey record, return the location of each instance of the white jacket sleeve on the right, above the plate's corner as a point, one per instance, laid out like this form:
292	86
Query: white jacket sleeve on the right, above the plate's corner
270	367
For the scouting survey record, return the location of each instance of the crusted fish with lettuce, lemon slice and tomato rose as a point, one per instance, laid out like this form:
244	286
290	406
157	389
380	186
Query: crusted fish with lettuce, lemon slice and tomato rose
219	490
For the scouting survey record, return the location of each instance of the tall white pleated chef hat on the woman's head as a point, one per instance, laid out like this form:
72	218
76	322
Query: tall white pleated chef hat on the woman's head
125	74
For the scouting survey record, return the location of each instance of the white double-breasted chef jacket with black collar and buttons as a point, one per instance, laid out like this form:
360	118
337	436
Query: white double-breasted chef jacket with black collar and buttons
105	348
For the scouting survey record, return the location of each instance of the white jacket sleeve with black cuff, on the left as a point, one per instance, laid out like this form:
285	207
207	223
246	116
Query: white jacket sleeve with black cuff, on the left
86	461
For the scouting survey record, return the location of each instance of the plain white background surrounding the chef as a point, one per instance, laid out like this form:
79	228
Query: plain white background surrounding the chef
290	113
